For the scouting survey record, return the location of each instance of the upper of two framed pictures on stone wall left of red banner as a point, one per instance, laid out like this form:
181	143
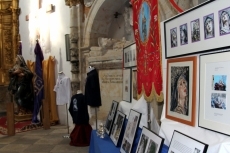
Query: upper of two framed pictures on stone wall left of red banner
130	56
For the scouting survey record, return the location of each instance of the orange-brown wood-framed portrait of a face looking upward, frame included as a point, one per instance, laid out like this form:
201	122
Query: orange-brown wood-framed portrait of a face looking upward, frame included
181	90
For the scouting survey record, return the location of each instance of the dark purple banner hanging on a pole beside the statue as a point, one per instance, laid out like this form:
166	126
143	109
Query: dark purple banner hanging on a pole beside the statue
38	83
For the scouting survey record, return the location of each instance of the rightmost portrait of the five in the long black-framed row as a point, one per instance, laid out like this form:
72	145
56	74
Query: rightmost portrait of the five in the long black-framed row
224	21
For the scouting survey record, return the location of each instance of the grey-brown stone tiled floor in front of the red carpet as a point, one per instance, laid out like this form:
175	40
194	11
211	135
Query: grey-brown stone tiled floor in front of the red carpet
40	141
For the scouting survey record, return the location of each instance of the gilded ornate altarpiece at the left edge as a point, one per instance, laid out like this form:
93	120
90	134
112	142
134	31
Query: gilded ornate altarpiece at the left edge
9	29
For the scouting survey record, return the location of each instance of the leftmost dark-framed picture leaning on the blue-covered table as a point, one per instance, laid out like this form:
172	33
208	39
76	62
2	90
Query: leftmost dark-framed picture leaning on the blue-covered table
110	117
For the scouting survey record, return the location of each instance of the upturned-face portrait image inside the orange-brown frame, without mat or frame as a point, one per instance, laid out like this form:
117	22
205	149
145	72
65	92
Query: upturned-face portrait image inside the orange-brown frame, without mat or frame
180	89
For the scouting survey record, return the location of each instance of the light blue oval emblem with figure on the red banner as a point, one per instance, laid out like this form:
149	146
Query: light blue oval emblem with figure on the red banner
144	21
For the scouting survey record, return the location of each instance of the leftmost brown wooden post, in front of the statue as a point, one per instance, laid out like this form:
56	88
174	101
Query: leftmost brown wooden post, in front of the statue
10	119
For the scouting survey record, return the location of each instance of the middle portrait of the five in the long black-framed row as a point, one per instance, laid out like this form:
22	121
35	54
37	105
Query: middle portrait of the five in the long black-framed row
195	30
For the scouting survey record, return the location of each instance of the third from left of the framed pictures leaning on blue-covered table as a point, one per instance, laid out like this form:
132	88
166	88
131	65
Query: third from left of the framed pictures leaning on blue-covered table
130	131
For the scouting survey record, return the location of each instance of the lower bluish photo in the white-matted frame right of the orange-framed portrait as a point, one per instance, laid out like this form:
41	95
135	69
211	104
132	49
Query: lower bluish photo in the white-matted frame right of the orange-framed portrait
218	100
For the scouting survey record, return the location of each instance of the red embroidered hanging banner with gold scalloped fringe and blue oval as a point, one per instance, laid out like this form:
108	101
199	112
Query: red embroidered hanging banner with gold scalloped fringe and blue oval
147	37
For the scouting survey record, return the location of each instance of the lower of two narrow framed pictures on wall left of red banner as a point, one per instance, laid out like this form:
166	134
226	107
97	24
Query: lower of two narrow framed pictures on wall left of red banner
127	85
